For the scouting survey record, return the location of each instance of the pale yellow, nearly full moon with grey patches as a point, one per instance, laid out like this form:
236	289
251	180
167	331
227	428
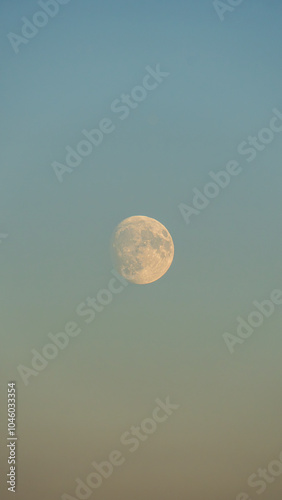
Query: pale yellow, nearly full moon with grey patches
142	249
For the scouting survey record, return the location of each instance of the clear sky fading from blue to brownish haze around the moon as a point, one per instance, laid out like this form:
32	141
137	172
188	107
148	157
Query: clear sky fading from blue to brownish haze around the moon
219	86
